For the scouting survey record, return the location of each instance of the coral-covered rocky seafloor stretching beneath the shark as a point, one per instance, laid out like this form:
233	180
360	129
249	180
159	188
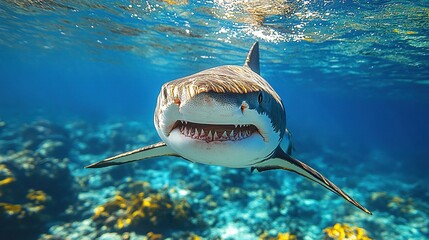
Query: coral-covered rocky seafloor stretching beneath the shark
45	192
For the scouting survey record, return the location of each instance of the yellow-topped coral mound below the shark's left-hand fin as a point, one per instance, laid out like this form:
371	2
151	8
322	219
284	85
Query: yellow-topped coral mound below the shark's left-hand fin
143	209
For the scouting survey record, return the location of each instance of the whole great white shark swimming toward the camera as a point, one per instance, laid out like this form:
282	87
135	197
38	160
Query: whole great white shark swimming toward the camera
226	116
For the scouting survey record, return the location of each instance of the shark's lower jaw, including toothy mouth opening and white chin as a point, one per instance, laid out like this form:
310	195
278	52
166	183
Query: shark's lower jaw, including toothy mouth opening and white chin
218	144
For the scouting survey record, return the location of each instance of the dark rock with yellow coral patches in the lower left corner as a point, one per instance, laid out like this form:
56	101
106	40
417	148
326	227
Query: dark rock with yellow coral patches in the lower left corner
33	190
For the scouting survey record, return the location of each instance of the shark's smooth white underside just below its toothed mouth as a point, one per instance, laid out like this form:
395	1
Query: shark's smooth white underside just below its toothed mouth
235	154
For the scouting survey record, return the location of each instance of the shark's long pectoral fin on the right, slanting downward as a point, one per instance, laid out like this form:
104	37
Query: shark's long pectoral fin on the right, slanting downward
281	160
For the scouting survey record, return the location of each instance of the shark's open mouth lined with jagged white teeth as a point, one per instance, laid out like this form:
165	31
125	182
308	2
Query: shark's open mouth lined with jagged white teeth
214	132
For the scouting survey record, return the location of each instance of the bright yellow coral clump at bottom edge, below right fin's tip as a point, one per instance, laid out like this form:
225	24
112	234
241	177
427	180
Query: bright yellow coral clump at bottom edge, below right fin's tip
344	232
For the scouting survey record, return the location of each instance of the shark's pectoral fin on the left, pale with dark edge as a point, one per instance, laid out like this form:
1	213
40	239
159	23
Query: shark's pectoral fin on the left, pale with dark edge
155	150
